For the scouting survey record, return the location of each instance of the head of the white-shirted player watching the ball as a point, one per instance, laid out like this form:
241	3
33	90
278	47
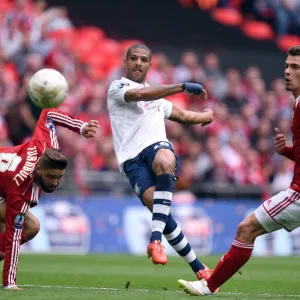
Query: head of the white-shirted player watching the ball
137	65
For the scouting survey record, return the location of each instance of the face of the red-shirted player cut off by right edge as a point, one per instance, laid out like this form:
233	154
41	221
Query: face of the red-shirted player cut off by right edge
292	74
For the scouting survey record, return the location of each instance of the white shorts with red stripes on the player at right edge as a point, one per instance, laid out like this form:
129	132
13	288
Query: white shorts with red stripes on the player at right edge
280	211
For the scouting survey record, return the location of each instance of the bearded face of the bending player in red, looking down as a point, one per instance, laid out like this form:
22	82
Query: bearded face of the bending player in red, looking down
49	179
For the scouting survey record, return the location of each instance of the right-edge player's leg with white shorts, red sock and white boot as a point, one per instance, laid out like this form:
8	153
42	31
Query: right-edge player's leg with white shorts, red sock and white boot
281	211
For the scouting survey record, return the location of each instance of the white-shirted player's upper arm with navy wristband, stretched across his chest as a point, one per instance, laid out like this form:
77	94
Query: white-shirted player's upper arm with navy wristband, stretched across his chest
157	92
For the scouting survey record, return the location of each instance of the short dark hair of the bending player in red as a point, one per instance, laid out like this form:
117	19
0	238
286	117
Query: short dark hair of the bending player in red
53	159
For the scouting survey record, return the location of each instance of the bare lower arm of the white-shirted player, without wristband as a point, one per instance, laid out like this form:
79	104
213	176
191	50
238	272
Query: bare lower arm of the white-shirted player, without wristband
203	117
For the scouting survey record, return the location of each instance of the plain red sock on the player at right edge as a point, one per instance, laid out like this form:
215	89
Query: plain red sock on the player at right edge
230	263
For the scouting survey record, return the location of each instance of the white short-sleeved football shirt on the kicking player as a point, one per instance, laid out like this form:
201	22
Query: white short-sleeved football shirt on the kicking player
135	125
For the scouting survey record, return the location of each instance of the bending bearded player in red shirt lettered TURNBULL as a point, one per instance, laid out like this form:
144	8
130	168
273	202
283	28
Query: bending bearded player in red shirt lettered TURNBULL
25	171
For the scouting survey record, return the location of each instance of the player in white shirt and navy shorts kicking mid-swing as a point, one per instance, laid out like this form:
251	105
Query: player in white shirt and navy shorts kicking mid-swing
137	113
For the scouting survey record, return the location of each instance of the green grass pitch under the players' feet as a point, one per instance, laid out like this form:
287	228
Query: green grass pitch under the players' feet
107	276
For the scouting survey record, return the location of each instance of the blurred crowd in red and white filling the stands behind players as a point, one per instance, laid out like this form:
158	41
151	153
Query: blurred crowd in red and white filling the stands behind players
236	148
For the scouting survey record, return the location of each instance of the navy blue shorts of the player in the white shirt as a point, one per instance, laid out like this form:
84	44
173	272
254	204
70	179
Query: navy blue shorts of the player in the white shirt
139	169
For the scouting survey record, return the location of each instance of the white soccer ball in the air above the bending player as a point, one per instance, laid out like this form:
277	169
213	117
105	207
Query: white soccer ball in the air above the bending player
47	88
